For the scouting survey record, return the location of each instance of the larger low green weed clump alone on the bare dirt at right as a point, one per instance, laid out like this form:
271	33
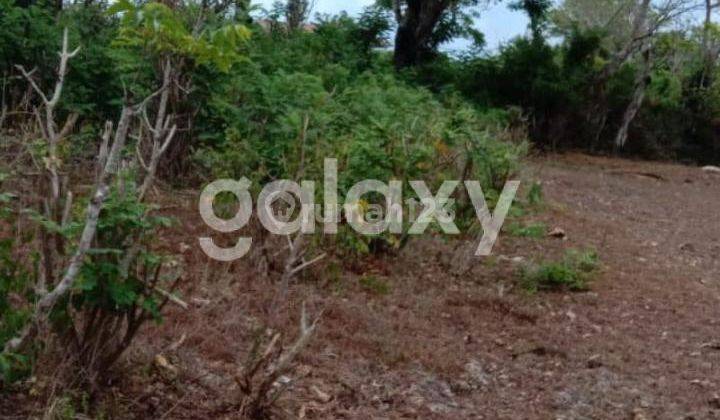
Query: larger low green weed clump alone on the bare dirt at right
572	273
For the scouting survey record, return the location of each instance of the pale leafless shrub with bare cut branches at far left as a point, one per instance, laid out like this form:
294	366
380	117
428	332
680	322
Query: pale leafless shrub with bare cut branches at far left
97	337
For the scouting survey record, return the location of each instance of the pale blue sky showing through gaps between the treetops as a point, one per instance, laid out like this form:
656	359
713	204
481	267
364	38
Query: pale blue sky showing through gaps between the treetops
497	22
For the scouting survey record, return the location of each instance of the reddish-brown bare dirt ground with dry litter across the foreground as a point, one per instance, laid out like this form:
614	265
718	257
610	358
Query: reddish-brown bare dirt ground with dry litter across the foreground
643	343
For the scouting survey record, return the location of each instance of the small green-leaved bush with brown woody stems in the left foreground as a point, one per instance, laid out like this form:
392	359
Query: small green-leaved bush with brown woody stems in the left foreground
122	284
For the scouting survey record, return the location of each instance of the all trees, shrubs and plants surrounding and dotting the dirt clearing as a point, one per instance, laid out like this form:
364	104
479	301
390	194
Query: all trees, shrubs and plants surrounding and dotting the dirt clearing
102	100
